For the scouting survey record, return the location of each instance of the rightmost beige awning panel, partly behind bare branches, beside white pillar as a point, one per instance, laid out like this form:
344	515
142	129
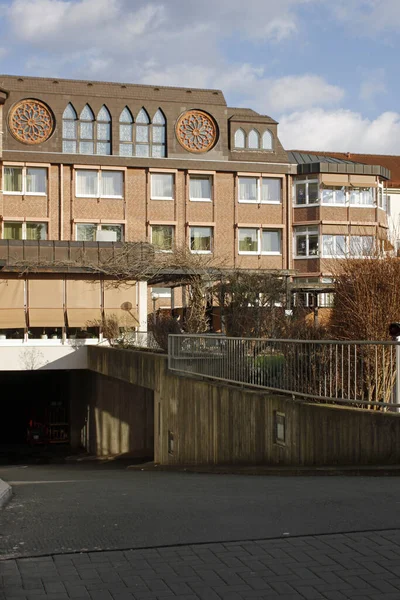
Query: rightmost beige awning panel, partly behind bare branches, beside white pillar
120	302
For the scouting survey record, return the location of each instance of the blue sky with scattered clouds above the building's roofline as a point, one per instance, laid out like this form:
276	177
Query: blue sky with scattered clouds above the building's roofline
327	70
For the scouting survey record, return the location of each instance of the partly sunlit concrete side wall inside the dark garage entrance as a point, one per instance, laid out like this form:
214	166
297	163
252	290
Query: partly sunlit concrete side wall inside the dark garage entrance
110	417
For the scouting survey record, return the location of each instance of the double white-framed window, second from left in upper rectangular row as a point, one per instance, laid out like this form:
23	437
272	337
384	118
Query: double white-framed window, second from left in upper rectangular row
95	184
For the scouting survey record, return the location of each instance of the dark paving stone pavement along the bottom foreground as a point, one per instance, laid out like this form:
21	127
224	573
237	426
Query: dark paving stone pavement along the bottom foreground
364	566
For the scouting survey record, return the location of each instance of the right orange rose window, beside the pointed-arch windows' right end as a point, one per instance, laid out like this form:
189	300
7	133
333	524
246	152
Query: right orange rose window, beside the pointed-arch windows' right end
196	131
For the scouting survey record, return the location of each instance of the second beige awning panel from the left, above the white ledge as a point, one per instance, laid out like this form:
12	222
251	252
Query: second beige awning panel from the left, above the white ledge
46	303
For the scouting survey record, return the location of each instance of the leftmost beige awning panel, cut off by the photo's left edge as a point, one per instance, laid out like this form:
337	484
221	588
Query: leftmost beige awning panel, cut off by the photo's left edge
12	304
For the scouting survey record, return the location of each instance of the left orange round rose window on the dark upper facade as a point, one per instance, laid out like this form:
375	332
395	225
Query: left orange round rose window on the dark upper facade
31	122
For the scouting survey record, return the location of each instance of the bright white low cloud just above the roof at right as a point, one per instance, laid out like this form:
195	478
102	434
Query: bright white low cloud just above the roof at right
341	131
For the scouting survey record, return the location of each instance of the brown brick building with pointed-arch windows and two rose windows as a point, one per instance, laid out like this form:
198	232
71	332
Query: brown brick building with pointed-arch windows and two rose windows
87	162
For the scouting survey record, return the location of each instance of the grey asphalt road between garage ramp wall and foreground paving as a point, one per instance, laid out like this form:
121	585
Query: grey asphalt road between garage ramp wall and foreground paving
64	508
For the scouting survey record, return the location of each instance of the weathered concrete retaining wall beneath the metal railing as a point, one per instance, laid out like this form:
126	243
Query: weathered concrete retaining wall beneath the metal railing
202	422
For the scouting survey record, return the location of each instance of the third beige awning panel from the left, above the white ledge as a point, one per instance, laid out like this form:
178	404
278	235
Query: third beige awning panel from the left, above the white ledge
83	302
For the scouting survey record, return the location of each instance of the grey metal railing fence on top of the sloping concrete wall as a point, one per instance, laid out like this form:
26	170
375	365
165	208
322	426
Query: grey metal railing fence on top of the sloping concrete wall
357	373
